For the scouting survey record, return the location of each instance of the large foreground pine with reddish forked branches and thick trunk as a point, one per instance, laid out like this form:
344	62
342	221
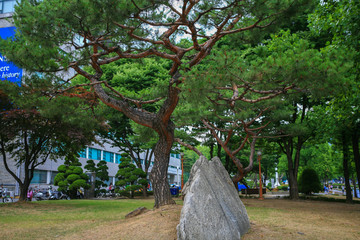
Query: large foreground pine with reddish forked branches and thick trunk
112	30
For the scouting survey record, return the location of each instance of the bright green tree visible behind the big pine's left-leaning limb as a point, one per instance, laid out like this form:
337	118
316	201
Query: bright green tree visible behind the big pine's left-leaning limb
135	78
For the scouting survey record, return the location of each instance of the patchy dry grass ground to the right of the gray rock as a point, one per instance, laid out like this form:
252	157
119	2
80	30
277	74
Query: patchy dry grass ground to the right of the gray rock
285	219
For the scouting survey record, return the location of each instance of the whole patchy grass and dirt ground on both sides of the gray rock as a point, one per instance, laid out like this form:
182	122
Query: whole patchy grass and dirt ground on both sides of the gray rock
94	219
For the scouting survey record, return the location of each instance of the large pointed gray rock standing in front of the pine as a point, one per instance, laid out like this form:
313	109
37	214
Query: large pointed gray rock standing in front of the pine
212	208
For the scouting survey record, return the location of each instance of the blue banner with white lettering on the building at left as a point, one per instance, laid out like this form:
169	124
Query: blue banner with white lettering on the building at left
8	71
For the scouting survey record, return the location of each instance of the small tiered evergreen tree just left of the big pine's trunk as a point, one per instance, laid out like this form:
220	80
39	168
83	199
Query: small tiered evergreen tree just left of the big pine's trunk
130	177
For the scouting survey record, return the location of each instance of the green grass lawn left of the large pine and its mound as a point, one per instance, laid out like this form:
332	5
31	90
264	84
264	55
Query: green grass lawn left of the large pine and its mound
62	218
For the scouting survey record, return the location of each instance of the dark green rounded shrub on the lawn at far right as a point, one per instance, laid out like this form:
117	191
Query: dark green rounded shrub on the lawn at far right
309	182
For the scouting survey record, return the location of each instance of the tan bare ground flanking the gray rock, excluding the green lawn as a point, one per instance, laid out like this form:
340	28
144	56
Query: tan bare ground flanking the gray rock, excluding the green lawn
270	219
